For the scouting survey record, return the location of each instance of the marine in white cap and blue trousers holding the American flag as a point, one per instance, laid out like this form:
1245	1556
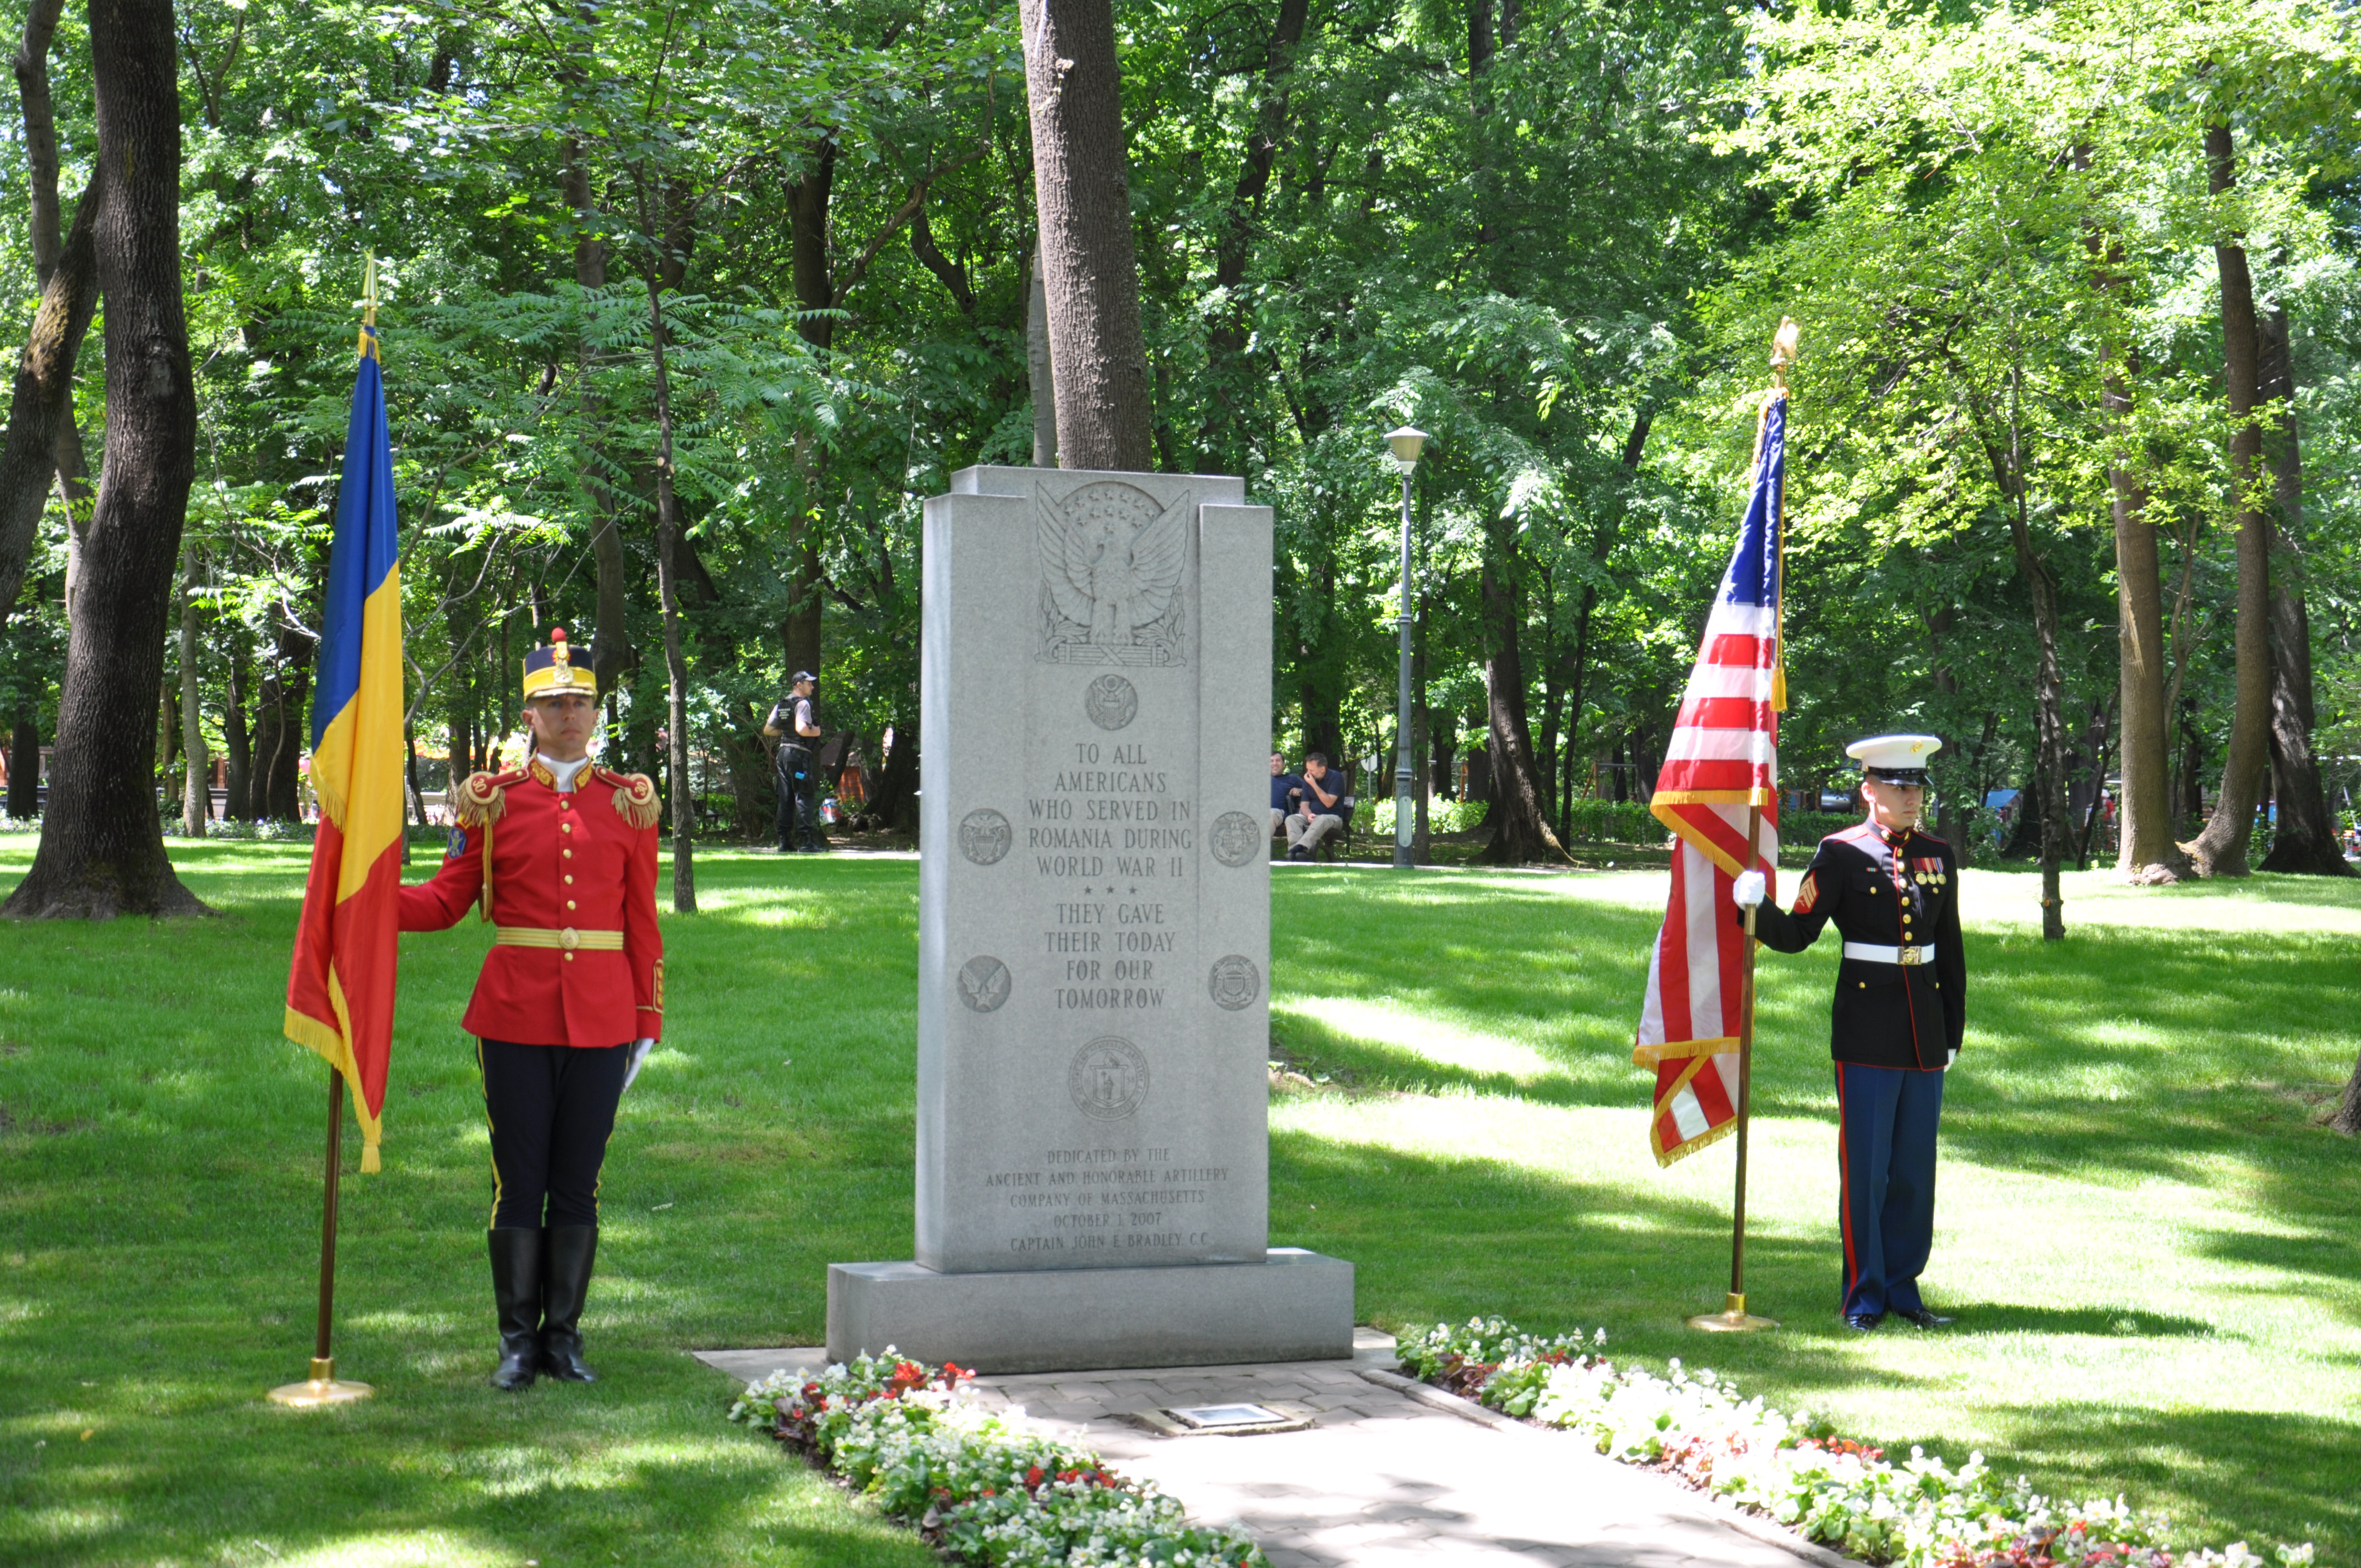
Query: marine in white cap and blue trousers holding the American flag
1897	1021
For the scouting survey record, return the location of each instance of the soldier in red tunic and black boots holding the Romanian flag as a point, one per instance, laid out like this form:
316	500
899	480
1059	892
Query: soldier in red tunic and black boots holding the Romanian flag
561	856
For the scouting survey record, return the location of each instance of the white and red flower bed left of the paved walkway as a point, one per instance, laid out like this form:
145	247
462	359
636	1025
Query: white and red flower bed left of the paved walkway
988	1489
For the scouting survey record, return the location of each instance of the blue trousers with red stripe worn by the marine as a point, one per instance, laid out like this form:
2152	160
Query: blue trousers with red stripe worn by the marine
1885	1154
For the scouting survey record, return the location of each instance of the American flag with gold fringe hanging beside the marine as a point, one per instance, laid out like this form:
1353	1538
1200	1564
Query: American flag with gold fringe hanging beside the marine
1722	762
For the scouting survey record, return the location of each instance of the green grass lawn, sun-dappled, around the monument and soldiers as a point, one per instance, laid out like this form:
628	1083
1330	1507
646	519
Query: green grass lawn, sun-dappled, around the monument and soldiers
2145	1231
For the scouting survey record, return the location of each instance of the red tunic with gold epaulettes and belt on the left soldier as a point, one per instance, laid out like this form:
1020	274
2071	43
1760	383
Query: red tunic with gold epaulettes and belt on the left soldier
582	861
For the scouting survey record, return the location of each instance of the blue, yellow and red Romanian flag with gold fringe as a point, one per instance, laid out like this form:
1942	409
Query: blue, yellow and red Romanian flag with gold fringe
341	986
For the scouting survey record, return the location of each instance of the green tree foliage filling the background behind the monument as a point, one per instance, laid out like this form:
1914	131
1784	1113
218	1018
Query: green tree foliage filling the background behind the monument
1552	235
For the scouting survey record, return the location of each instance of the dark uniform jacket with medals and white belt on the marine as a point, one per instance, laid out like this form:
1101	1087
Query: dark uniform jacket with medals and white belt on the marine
1892	891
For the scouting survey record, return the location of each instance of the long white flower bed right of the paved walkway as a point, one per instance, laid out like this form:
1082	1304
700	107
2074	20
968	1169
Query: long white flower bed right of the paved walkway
1918	1515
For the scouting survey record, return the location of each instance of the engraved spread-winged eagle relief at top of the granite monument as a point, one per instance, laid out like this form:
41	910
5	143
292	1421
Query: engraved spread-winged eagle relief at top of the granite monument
1111	575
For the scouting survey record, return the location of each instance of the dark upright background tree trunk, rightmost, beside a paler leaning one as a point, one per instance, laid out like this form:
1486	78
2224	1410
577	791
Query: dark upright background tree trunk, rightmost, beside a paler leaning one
2306	835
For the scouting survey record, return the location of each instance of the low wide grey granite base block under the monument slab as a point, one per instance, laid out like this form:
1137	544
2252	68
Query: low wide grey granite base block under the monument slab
1297	1307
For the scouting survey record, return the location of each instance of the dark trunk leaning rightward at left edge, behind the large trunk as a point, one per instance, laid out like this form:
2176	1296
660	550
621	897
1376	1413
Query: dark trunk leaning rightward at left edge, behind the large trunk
44	400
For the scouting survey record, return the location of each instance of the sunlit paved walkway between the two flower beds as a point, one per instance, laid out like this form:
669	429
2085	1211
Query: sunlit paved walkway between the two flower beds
1378	1470
